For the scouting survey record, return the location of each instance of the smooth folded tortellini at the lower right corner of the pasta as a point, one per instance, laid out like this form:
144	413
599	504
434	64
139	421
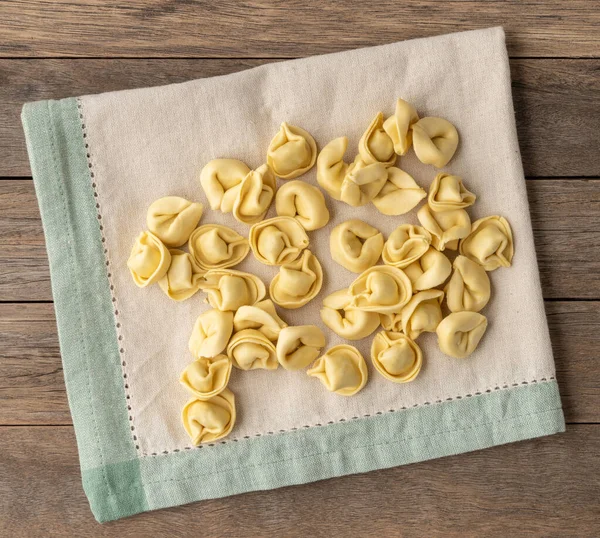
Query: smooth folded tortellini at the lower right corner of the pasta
460	333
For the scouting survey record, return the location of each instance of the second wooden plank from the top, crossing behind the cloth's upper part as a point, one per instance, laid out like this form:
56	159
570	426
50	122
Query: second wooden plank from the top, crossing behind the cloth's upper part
555	102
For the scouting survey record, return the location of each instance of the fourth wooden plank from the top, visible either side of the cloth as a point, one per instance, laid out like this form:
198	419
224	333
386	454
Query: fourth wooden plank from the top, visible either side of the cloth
32	387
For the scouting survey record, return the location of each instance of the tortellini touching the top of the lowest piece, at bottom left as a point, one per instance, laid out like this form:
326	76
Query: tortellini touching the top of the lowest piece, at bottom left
207	376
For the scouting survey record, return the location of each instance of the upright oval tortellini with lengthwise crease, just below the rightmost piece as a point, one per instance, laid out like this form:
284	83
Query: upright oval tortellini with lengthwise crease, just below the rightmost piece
469	287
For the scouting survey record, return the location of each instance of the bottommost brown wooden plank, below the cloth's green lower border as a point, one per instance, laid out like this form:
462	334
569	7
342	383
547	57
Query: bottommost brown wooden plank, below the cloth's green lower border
543	487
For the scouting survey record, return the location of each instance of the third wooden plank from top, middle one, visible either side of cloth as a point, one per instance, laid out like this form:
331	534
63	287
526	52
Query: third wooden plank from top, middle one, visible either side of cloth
565	214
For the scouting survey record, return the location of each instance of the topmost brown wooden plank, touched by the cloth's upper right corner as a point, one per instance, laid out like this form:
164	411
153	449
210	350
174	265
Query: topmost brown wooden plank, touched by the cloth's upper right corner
262	28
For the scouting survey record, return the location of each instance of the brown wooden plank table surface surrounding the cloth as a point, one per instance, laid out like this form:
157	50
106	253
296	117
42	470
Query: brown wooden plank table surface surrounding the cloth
548	486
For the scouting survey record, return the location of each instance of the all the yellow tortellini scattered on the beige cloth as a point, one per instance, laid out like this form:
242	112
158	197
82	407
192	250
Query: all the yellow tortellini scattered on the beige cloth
405	295
